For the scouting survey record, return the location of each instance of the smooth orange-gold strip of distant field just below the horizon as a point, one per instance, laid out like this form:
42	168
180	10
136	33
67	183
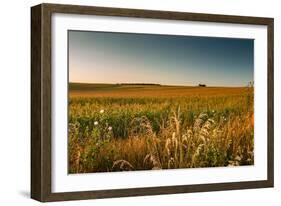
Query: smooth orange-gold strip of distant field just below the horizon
140	91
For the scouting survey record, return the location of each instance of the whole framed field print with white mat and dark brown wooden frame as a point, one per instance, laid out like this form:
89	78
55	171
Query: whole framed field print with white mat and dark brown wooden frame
132	102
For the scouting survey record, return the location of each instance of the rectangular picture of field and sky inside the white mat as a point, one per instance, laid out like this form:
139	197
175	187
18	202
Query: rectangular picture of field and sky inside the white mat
139	101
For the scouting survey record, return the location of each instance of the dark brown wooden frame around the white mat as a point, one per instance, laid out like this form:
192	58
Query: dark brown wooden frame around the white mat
41	101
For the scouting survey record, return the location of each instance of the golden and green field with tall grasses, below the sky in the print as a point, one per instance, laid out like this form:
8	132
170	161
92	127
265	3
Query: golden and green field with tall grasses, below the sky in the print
115	127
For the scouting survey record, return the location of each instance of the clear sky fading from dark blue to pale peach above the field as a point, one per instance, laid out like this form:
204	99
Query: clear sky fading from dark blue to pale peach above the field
108	57
